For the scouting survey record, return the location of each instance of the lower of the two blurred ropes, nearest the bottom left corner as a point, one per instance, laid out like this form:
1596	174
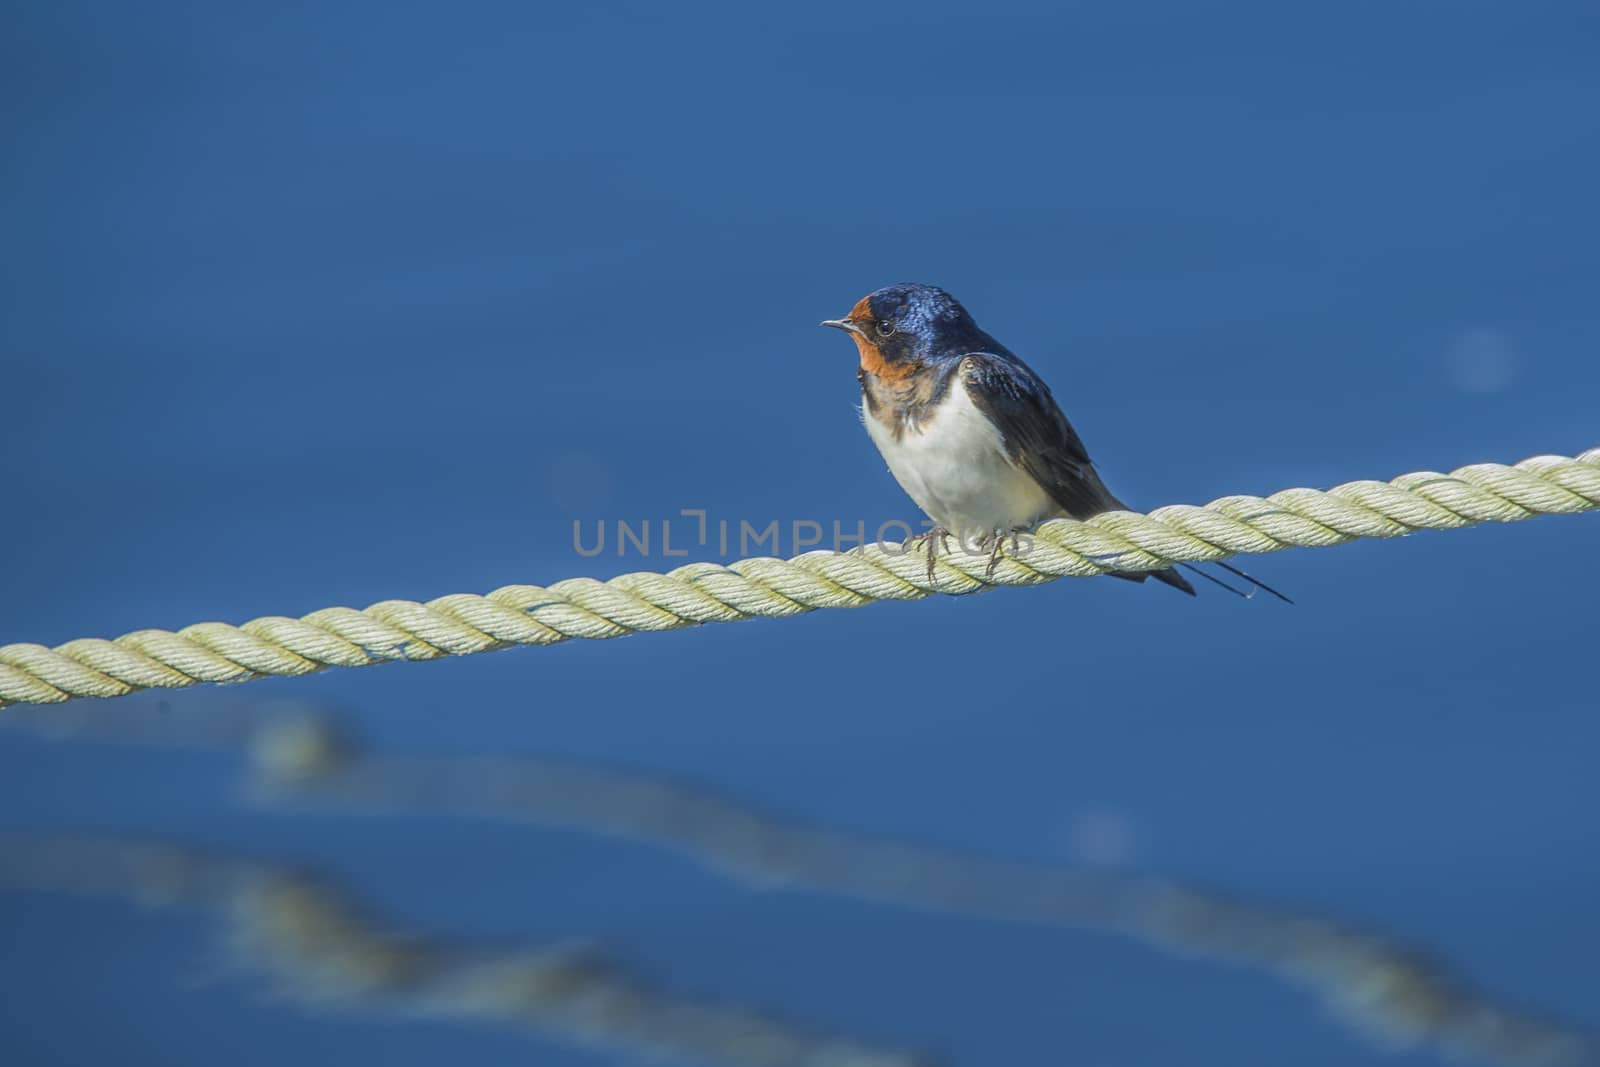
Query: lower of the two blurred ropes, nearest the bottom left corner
324	948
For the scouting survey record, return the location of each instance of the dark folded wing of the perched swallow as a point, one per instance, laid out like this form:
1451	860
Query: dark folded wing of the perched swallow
1036	434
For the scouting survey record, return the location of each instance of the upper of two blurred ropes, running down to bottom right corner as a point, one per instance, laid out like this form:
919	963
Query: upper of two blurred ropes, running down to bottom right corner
303	764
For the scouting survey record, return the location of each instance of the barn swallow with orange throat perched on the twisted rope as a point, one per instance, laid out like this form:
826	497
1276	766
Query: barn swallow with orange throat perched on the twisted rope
970	431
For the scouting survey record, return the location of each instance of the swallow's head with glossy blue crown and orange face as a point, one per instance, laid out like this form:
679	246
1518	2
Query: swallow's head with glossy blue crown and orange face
905	327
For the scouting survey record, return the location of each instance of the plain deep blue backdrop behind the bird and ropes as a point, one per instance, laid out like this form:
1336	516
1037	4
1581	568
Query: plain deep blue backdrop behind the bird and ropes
330	303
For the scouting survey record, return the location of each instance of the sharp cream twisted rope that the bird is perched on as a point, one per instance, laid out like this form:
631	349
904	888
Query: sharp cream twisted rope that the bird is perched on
462	625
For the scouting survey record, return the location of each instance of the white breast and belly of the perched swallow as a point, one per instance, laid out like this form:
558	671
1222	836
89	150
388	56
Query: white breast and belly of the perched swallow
958	471
